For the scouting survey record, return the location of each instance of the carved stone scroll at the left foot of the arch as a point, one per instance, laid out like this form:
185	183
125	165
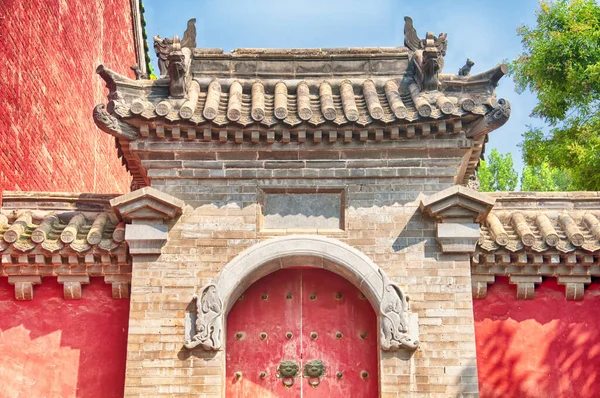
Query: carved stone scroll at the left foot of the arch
208	325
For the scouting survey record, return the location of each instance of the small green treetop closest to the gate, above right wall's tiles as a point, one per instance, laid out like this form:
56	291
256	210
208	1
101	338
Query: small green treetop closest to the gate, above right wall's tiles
497	173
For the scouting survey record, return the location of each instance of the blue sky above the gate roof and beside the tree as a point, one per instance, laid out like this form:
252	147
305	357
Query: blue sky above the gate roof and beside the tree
484	31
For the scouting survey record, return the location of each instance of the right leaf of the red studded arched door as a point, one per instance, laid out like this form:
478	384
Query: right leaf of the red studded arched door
345	342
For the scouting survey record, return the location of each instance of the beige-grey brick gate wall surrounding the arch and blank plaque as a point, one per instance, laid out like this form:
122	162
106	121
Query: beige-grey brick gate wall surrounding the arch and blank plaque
222	217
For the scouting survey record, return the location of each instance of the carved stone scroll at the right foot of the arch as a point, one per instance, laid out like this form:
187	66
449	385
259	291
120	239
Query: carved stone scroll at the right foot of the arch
394	319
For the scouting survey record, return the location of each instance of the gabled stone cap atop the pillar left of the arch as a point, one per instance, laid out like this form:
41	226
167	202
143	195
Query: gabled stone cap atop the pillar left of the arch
147	204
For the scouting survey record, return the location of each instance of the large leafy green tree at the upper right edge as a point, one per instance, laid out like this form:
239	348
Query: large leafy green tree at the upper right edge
560	64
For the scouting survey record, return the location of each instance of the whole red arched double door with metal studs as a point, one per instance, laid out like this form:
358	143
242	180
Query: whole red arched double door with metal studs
303	315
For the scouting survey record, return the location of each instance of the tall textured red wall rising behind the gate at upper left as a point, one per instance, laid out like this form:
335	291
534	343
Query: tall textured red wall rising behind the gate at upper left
48	89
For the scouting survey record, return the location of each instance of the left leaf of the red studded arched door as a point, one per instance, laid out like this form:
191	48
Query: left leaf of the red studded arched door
248	353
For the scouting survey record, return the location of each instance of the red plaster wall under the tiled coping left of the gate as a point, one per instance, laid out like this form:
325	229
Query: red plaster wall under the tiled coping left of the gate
52	347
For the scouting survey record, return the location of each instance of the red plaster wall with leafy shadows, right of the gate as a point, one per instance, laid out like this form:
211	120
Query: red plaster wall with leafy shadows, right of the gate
546	347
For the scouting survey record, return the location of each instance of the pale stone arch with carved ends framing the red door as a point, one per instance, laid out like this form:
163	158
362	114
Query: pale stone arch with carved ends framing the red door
205	325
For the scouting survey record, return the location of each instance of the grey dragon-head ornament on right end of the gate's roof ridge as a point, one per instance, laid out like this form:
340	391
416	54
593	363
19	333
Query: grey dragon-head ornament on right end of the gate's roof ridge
428	58
